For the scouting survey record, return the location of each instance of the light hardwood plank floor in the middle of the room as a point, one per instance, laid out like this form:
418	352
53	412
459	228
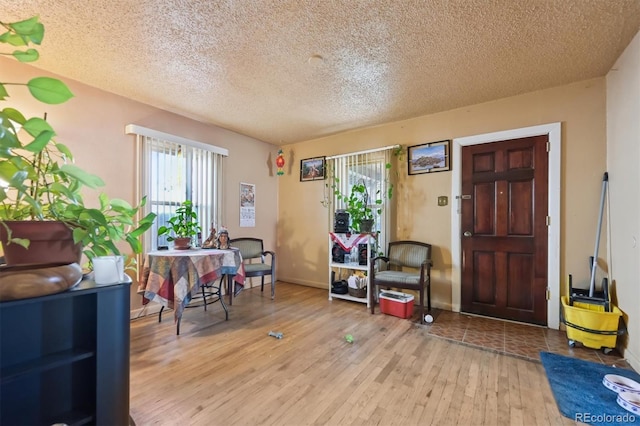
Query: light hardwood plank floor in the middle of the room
232	373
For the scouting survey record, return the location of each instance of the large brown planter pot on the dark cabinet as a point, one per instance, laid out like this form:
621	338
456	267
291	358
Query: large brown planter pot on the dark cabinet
51	244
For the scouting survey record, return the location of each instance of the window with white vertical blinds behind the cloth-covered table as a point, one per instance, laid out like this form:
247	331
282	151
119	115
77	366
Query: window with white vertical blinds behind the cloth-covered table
174	169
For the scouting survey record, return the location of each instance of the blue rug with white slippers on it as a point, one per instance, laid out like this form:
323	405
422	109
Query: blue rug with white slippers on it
579	392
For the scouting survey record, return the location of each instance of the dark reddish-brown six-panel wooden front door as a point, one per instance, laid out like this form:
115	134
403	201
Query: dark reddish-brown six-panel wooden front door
504	230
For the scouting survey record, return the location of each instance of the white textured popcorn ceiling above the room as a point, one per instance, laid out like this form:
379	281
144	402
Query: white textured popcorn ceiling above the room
284	71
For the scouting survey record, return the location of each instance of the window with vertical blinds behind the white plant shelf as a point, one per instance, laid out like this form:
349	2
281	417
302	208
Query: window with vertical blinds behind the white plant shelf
373	170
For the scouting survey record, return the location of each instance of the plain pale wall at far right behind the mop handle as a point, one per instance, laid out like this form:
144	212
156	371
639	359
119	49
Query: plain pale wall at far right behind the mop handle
623	158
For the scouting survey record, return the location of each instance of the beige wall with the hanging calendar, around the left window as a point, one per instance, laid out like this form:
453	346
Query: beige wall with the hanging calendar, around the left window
92	125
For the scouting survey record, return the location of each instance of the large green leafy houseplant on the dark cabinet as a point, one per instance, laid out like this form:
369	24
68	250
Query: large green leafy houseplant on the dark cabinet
38	180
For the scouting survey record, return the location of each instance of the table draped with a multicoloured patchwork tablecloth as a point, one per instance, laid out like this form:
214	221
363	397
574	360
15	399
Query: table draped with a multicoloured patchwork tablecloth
173	277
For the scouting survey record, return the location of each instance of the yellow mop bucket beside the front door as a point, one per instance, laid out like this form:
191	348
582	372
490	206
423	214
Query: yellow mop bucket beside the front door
590	325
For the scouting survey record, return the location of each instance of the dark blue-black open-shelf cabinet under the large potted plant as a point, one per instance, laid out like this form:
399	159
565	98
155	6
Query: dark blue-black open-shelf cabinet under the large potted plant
64	358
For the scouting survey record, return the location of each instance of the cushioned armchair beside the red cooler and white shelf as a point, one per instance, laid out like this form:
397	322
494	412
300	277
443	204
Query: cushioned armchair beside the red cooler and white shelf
407	265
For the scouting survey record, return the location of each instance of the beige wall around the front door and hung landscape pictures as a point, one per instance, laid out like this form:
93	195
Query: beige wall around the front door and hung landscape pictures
580	107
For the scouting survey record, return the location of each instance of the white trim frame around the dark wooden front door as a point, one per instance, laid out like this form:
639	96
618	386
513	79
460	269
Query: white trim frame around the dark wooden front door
553	130
